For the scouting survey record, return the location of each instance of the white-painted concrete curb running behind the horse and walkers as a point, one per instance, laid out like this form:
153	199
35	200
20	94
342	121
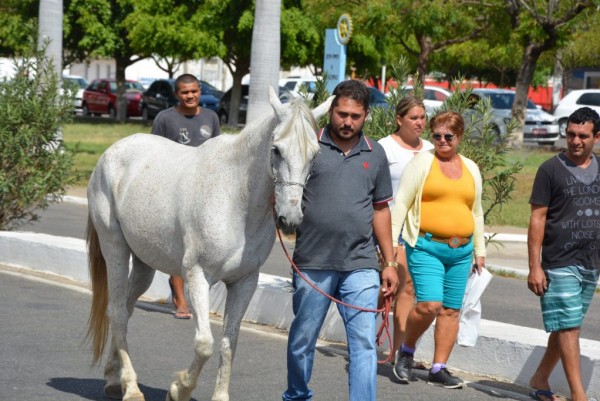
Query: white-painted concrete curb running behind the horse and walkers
504	351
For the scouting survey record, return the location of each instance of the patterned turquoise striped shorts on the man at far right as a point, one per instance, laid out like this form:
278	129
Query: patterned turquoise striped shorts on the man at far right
569	294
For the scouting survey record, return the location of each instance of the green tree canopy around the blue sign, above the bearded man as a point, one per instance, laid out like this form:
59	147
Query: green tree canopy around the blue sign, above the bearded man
386	29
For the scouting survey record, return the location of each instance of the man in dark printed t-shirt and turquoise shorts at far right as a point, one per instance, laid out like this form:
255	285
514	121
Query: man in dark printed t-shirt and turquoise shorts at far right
564	249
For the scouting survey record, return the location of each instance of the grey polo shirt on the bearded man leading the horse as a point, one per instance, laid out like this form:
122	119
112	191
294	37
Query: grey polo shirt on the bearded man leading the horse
336	232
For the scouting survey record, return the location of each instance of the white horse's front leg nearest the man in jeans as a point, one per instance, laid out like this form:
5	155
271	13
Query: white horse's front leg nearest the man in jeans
239	295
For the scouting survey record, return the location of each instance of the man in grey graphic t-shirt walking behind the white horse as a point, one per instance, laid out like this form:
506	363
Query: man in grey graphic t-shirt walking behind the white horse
188	124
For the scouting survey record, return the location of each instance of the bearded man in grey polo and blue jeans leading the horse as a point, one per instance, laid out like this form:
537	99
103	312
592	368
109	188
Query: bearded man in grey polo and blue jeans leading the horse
345	206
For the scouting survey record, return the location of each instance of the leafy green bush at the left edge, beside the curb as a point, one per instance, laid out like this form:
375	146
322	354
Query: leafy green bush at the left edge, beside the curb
36	168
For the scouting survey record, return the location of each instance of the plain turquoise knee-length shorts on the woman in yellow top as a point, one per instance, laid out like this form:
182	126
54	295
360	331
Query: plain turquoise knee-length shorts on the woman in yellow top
439	273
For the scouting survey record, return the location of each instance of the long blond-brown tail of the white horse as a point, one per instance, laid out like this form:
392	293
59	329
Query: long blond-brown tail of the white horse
98	322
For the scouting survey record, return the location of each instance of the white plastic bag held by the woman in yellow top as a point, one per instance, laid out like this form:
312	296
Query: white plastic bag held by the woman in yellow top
470	313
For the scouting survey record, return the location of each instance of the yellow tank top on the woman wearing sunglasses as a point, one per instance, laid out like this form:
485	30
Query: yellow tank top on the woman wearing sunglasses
447	204
